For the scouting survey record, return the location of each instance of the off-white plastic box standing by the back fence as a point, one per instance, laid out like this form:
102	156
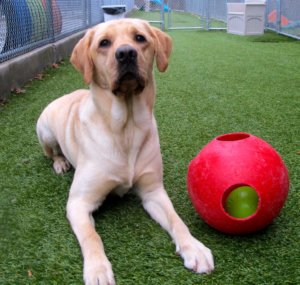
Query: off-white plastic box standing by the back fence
246	18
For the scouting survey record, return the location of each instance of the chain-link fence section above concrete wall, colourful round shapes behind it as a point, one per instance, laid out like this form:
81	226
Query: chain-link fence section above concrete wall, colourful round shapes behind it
28	24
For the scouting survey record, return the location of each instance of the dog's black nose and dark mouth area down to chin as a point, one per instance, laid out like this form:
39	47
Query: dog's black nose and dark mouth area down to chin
129	81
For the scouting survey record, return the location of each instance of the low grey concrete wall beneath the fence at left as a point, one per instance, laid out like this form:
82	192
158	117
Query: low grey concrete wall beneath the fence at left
16	72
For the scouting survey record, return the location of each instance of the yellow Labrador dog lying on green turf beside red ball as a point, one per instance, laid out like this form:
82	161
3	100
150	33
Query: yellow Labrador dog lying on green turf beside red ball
109	135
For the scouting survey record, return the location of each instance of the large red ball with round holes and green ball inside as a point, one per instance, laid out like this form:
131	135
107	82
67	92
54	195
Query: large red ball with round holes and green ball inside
233	161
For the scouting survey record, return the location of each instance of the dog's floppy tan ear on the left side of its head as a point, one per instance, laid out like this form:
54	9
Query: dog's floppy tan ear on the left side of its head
81	58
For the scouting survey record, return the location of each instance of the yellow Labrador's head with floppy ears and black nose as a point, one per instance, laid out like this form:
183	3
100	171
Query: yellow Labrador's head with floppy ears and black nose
119	55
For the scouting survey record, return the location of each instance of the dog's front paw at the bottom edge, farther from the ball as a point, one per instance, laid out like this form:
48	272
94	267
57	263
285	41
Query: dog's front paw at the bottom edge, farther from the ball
98	273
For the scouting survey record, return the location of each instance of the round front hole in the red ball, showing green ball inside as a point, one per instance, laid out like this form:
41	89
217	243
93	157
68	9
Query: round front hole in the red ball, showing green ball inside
240	201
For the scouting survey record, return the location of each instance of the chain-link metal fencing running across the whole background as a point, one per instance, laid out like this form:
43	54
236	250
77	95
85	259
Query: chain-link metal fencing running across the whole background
28	24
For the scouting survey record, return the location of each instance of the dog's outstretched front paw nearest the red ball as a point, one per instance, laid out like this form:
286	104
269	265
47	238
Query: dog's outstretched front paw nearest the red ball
196	256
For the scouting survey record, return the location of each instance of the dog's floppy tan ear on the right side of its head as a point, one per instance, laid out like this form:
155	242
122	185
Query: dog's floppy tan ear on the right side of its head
163	49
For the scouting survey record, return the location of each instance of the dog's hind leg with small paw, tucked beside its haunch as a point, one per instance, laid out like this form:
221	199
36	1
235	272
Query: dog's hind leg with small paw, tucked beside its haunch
52	149
